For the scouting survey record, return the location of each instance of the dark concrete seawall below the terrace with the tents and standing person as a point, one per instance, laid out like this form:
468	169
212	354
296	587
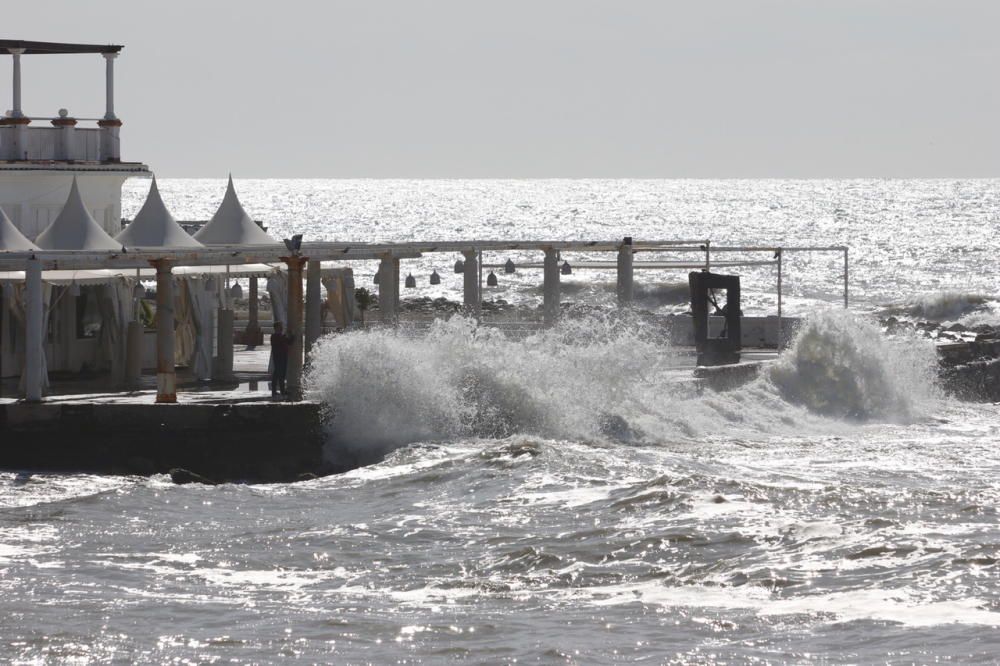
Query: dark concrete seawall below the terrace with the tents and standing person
254	442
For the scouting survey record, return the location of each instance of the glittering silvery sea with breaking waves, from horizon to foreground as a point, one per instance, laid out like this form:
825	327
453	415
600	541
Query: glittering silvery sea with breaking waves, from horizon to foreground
570	496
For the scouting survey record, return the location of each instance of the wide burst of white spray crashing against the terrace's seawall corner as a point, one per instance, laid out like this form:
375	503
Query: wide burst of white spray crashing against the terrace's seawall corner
388	388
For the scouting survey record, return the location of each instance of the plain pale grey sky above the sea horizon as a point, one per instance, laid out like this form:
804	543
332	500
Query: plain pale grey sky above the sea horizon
531	88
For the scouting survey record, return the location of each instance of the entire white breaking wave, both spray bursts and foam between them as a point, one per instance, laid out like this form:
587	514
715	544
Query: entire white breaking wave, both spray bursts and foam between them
613	379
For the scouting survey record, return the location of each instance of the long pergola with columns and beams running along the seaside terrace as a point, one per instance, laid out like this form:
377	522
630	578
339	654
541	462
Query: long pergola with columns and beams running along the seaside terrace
297	256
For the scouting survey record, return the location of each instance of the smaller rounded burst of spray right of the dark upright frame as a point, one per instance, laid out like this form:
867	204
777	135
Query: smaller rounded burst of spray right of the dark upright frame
840	365
